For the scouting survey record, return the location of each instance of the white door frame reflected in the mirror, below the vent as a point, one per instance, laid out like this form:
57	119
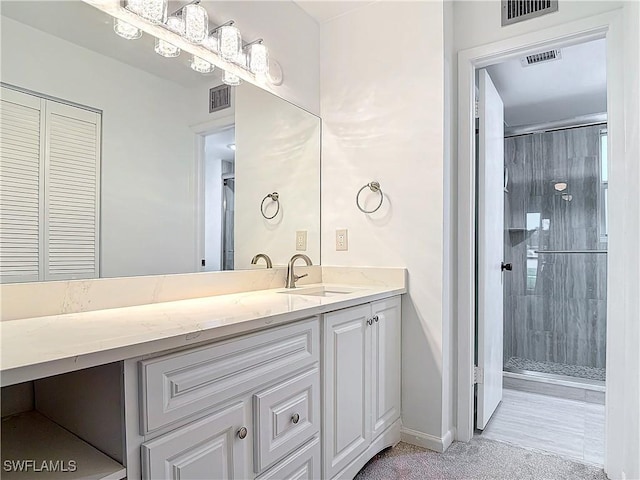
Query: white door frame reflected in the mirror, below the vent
201	131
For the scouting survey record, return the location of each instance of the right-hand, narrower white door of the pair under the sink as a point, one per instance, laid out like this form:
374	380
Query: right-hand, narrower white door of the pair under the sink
385	364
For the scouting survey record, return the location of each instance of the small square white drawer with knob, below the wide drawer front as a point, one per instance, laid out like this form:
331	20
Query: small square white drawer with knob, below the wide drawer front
286	415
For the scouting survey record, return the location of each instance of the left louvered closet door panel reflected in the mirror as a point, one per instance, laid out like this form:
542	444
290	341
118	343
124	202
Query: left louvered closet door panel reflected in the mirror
21	181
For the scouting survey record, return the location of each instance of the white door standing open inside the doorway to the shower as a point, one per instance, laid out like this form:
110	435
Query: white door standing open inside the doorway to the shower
490	248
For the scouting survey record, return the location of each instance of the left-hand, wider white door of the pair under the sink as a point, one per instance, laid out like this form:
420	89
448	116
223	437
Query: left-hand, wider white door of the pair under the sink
347	342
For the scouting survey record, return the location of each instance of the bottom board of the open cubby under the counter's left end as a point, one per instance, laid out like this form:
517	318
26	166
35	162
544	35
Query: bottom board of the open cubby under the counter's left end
35	447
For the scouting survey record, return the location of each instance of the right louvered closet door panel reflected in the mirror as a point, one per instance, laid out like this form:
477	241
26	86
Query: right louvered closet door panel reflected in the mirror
72	169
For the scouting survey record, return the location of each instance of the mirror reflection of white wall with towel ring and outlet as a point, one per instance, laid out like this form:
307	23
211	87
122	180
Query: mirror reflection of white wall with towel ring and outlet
277	150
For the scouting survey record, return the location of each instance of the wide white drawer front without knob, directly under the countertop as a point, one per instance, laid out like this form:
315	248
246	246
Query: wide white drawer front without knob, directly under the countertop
185	385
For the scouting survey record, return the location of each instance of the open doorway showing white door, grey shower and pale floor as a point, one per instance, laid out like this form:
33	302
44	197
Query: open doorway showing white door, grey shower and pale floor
542	250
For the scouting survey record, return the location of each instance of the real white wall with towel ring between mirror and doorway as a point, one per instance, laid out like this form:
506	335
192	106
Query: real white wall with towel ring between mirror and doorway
382	104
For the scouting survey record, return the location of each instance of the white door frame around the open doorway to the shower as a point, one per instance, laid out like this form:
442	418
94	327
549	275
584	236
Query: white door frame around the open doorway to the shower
607	25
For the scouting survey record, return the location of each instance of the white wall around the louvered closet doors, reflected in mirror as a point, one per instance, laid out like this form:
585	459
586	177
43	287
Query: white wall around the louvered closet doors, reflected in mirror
147	198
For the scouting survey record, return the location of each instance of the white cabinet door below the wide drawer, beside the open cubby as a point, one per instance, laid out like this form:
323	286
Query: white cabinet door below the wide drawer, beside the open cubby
210	449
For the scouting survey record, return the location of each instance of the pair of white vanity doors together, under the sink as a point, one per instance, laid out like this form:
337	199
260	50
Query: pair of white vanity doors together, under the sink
361	383
